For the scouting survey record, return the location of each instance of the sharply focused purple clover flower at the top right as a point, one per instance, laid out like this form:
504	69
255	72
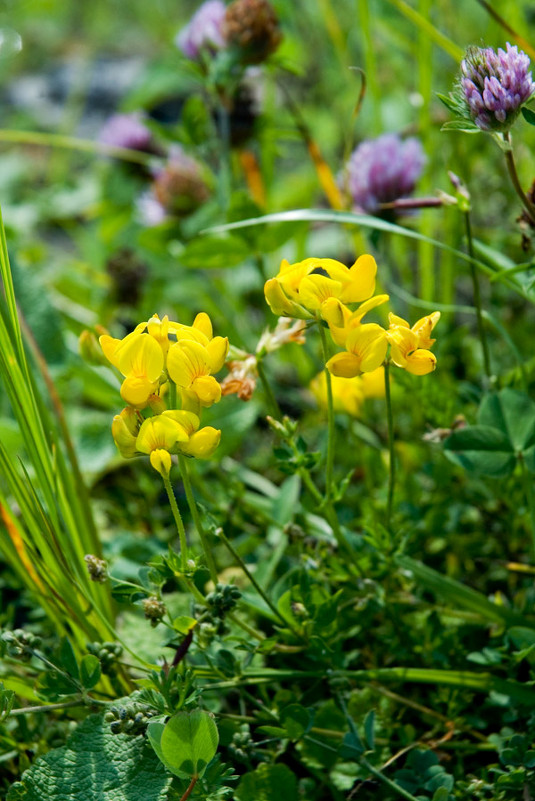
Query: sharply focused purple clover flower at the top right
495	85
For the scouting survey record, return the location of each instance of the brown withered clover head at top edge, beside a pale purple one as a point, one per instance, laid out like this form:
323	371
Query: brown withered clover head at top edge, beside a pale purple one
253	27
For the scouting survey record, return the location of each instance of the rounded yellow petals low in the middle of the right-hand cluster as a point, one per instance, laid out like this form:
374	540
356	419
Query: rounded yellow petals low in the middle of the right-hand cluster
366	348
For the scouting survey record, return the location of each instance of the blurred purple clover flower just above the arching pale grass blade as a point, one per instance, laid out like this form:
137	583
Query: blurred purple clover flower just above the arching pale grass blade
383	170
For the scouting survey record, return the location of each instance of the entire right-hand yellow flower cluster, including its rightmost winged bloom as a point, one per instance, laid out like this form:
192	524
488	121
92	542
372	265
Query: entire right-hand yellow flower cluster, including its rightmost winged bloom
324	289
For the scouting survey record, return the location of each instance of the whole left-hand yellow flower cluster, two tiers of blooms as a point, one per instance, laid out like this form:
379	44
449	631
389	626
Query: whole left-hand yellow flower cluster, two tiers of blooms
162	361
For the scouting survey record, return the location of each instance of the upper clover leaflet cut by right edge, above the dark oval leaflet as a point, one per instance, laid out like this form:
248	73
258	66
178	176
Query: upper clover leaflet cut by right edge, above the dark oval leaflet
511	412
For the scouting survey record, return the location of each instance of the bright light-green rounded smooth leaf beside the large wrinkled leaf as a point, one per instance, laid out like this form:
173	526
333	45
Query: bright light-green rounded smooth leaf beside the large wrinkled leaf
189	742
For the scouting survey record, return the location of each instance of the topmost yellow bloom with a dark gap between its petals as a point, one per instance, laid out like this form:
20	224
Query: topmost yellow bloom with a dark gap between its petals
302	289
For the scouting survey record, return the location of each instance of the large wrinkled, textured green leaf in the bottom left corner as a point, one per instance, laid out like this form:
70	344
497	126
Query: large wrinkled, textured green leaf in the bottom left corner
95	765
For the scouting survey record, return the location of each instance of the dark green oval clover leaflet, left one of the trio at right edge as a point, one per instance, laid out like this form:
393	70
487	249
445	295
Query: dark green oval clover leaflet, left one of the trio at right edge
481	449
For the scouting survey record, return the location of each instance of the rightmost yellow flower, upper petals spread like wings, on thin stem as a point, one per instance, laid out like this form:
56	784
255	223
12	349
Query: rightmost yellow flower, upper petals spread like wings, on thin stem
409	347
